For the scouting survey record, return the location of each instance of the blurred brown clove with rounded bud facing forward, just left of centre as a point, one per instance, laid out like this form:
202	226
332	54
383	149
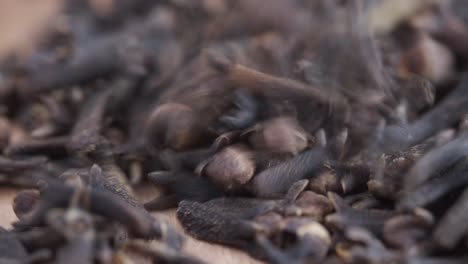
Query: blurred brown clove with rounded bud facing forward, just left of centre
186	116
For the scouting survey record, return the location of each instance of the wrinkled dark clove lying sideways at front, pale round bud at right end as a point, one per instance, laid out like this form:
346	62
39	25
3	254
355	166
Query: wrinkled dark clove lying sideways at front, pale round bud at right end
228	213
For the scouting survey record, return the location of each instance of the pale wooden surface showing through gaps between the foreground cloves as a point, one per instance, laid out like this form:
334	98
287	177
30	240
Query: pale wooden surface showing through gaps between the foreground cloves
210	253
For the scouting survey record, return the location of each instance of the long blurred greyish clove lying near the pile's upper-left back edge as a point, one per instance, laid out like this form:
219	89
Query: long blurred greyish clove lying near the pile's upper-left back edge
91	60
